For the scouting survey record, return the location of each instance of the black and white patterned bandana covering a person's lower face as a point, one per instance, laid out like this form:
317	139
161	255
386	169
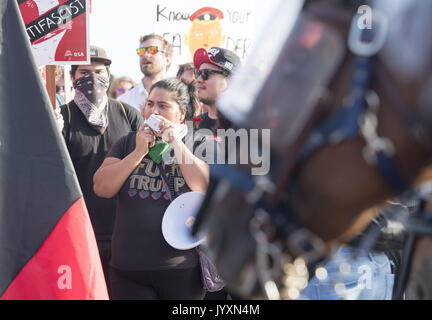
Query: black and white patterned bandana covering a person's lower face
91	98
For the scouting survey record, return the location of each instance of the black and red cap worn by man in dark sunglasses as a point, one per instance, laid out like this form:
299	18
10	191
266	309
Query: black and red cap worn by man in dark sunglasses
220	57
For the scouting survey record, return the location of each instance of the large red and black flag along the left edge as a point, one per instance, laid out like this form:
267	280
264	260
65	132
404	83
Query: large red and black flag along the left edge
47	245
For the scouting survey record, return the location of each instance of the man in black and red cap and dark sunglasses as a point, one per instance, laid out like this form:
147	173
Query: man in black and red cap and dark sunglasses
213	68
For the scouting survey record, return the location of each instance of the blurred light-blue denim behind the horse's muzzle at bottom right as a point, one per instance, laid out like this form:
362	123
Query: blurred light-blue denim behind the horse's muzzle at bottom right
368	277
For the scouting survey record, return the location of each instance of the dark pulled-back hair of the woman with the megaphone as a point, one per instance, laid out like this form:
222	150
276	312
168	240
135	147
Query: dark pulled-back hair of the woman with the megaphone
184	94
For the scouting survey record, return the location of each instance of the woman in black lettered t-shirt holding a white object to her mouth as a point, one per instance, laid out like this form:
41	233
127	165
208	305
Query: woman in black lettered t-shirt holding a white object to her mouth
143	264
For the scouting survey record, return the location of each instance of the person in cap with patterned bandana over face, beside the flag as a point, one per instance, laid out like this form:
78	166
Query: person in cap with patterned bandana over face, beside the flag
92	123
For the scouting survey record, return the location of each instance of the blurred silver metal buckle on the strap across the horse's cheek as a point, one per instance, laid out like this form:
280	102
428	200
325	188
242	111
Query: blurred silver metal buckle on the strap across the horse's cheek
368	128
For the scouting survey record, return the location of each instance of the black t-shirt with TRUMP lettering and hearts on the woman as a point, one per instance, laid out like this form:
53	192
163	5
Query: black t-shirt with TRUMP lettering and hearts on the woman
137	242
